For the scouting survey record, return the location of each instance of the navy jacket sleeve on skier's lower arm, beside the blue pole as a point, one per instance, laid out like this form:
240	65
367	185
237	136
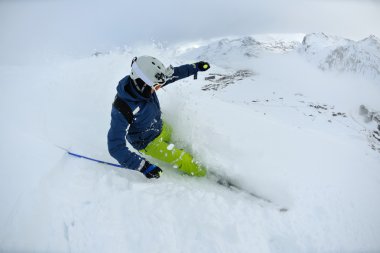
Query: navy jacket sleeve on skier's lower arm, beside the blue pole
117	143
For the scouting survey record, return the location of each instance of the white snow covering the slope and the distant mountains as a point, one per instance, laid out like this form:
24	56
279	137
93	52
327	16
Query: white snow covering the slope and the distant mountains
286	130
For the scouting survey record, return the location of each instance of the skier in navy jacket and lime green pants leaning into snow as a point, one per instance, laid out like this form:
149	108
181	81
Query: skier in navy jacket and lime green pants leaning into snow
136	117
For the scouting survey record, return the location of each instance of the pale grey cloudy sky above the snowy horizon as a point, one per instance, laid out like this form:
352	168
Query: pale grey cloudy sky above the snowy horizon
35	28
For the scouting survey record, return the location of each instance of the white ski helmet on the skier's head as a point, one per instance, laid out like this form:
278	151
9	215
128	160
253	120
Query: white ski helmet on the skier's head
150	70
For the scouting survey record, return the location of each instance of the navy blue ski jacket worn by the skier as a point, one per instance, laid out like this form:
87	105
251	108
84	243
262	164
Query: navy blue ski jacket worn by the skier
146	124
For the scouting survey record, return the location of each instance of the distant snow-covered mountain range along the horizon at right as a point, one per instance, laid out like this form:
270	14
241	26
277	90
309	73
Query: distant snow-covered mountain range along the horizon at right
326	51
